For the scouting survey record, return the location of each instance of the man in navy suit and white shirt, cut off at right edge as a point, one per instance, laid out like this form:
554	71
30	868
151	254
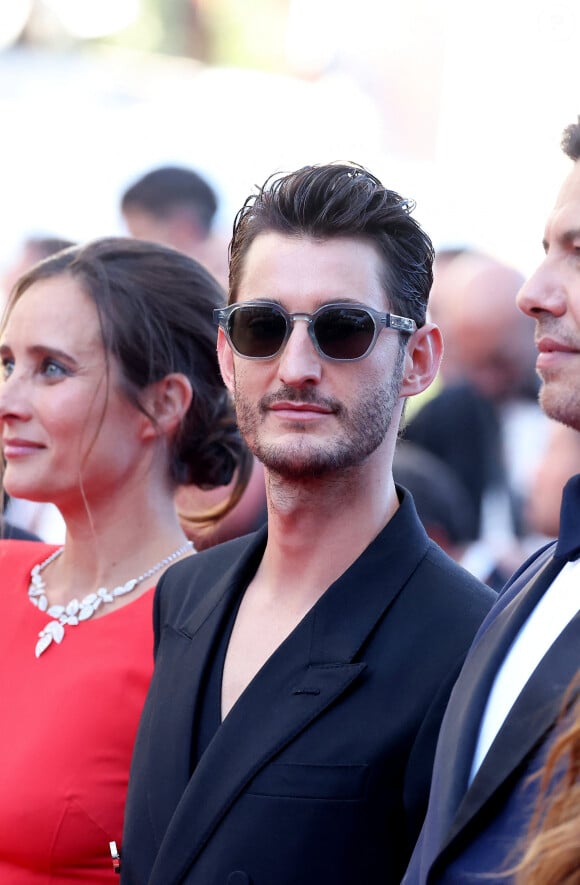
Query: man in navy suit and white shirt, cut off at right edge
504	707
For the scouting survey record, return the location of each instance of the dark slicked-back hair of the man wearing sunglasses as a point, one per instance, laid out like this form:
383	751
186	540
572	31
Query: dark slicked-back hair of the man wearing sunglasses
342	200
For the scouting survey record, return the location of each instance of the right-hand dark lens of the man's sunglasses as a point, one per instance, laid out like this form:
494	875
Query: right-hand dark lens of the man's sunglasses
344	333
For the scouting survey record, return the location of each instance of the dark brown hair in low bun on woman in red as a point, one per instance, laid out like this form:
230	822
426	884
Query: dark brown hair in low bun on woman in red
155	312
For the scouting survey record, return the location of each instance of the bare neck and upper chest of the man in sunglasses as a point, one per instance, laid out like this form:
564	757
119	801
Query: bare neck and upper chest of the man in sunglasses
316	530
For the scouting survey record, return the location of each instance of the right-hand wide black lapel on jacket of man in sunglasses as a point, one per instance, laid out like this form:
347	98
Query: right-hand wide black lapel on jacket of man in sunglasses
308	672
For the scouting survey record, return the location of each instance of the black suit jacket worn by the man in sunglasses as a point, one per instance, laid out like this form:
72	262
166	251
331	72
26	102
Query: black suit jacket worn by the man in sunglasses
320	772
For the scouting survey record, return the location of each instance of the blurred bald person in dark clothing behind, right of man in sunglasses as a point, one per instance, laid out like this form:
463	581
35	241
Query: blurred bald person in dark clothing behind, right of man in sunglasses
486	421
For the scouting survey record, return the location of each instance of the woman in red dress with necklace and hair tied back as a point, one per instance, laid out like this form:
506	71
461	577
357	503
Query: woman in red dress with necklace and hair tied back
110	396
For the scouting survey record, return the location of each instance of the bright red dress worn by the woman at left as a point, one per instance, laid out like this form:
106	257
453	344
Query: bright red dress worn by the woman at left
69	720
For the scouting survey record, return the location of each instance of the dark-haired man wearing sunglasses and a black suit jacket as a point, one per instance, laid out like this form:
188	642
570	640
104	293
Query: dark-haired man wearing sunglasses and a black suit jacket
302	672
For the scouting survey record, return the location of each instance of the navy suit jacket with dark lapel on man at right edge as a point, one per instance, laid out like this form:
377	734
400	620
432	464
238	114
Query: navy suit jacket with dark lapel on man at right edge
476	829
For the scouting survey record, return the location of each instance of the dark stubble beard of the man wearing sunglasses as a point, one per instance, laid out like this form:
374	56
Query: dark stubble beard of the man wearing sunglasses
362	430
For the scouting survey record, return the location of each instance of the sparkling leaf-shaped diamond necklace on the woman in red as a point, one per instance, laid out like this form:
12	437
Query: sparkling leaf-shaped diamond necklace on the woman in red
76	610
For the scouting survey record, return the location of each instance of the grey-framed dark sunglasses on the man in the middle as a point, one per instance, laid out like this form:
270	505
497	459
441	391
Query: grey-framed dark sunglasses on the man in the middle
258	330
